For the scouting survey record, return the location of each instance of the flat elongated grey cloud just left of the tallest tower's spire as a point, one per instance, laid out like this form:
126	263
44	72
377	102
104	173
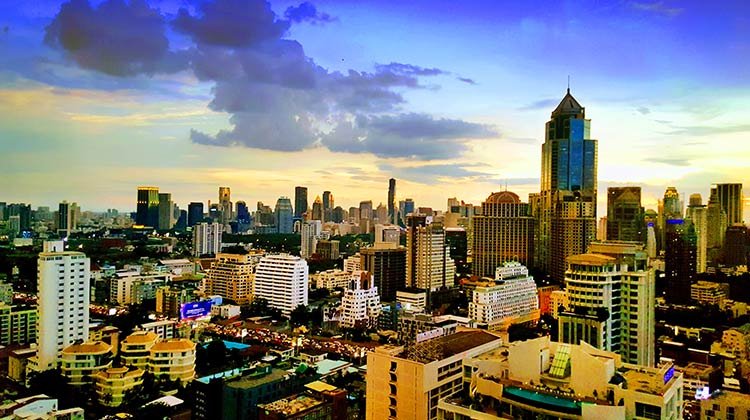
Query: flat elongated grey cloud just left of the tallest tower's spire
418	136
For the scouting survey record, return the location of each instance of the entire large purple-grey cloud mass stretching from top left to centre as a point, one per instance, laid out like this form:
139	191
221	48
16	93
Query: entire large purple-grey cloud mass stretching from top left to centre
278	98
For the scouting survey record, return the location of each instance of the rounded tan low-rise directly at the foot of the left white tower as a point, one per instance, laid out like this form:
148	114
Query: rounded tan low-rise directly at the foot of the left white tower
80	361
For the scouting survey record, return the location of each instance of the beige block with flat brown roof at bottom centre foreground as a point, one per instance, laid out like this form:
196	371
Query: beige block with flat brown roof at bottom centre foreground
407	383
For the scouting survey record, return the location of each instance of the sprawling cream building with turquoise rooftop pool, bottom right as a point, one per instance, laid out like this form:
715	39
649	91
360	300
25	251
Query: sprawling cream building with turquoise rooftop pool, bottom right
539	378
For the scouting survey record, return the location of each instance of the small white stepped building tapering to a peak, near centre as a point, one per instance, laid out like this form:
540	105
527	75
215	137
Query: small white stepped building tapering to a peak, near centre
360	304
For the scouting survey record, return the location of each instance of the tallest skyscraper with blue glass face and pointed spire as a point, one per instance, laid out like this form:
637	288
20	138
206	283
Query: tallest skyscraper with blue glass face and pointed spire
565	208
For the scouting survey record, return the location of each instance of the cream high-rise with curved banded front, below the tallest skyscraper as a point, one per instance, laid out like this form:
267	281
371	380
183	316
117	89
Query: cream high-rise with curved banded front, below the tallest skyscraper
611	295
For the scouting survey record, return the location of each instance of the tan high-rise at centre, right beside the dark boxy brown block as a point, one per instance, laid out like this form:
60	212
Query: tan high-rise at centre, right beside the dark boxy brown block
432	268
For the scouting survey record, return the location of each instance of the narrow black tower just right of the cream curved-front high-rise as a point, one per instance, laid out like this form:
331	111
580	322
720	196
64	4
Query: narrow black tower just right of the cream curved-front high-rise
679	260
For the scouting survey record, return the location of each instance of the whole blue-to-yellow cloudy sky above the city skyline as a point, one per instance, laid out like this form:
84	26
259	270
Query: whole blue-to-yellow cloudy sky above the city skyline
450	98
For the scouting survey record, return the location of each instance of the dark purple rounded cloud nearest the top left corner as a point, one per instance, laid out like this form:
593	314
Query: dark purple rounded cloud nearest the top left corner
116	38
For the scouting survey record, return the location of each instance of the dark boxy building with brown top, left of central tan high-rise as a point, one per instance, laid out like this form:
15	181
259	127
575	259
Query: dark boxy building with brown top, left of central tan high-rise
387	264
